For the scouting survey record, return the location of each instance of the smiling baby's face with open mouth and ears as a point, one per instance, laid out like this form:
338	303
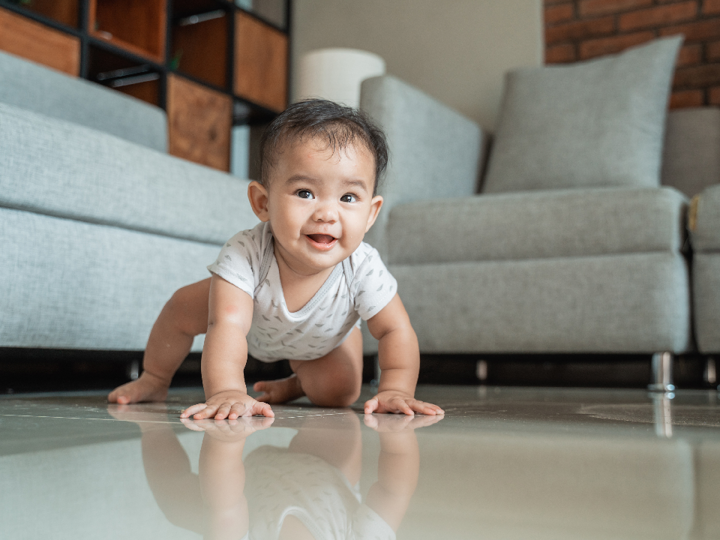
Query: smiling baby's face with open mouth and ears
320	204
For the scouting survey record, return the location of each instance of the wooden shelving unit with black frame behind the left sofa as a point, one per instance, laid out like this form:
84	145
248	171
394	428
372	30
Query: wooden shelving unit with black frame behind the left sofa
210	64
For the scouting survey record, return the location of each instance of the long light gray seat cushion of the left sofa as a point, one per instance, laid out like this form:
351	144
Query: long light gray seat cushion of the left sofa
62	169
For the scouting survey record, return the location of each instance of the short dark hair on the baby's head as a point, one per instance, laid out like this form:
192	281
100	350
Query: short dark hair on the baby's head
338	125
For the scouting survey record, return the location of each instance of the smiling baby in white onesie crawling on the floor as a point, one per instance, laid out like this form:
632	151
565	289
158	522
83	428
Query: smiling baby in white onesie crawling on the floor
296	286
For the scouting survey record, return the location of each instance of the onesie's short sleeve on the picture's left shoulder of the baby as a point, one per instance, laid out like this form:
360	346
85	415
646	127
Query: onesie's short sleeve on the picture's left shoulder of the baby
240	259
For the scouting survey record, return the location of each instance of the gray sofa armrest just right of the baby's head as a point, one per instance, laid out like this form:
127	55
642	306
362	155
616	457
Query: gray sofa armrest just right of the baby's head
434	150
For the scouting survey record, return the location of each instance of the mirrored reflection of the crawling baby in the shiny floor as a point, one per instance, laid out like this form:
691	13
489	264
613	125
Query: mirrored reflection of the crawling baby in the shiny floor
309	490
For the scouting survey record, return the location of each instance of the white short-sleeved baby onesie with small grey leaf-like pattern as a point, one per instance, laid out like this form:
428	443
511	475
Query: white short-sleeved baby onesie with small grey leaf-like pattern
359	287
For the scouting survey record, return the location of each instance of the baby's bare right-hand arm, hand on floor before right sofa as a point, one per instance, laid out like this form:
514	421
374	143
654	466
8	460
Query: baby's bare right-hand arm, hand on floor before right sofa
399	363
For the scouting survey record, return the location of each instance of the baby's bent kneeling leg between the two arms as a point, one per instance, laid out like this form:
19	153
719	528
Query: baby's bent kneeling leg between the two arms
331	381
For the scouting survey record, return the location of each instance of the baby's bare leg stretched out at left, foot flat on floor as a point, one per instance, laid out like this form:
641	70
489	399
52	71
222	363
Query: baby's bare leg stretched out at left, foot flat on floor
183	317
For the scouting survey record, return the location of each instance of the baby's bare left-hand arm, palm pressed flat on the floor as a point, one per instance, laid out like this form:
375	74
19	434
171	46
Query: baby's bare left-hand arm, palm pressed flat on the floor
225	355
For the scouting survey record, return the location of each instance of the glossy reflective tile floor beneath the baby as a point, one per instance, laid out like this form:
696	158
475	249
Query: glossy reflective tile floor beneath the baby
503	463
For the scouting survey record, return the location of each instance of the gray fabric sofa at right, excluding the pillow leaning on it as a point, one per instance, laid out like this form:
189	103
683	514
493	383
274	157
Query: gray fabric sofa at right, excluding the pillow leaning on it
585	270
